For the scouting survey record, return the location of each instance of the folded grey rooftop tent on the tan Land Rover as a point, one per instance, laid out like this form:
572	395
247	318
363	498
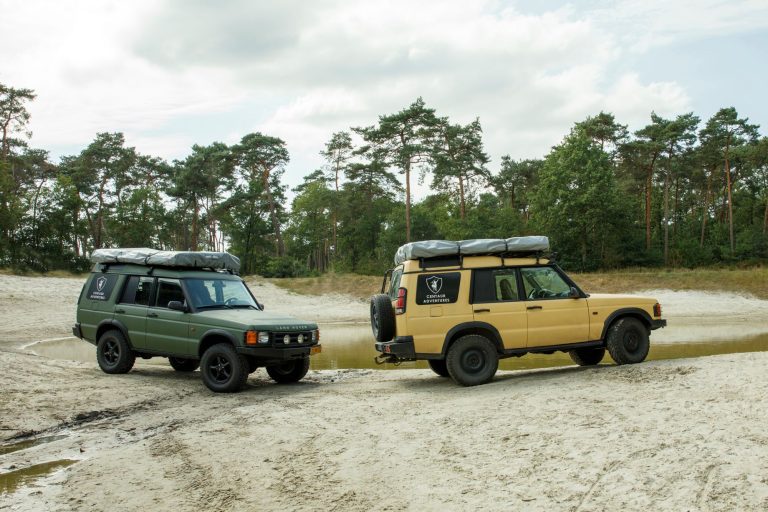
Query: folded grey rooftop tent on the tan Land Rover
485	246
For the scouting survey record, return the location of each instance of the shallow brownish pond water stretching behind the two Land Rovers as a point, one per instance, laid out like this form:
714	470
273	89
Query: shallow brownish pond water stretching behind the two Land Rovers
351	346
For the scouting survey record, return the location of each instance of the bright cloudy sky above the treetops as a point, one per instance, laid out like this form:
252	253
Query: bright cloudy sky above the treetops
173	73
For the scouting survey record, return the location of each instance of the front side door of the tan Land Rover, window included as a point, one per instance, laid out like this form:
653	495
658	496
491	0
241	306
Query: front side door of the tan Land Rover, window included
554	318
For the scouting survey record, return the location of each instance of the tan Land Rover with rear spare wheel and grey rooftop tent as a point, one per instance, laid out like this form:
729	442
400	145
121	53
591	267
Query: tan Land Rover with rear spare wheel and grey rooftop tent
462	306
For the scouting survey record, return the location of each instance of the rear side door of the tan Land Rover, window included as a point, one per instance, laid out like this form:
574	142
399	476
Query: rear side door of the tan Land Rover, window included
496	301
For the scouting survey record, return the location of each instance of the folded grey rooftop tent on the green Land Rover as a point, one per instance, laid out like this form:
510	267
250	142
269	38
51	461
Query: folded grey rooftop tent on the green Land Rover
153	257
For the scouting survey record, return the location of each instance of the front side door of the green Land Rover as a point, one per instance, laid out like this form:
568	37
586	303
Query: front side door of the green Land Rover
168	329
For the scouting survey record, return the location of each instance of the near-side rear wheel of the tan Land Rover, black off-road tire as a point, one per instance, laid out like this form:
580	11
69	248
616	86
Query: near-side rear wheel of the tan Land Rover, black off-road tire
472	360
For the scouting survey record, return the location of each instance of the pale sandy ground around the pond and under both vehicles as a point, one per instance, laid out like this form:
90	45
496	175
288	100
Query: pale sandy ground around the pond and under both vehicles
667	435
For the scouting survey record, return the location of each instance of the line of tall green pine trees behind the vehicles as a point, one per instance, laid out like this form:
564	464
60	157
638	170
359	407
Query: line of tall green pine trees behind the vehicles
677	192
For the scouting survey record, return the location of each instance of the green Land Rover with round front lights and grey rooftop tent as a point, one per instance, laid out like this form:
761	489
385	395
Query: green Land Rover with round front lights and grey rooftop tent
192	308
